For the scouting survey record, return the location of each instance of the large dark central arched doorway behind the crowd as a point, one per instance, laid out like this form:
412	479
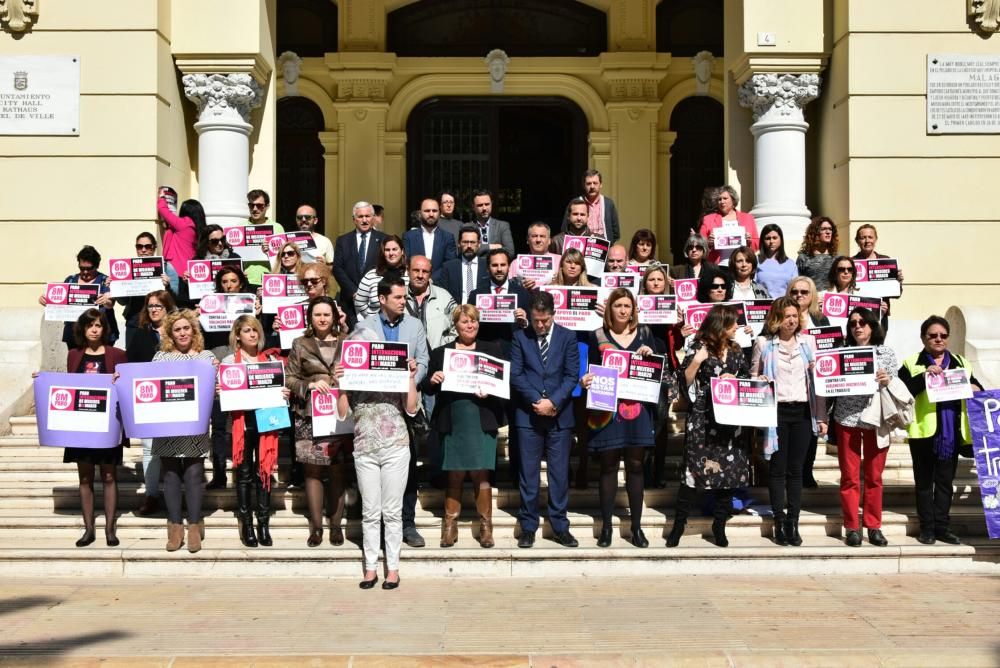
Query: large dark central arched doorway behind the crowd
531	152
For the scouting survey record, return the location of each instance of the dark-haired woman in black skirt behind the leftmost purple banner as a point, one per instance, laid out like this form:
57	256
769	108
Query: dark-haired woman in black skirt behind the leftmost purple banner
95	354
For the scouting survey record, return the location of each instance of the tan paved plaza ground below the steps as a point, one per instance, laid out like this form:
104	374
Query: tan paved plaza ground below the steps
900	620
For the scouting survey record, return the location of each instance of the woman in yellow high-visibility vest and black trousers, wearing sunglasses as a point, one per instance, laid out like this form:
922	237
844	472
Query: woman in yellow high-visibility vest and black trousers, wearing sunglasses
937	431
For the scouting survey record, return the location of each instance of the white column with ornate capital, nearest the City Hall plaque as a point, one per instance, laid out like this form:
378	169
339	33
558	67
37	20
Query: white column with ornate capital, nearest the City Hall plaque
224	104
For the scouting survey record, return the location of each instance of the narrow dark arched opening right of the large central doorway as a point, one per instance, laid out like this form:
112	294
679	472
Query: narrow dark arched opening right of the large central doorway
696	163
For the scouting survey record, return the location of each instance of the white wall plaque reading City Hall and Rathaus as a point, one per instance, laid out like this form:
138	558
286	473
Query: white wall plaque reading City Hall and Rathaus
39	95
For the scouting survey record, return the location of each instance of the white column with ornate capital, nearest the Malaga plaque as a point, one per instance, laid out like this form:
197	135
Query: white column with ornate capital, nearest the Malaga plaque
779	133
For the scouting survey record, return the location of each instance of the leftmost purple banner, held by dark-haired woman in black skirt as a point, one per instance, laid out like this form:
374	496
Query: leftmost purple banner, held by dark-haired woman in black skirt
78	410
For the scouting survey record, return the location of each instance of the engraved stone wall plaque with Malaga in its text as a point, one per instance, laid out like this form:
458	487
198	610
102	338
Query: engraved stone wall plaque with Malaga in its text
963	93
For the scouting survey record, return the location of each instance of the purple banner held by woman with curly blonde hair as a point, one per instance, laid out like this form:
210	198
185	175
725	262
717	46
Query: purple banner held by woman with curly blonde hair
166	398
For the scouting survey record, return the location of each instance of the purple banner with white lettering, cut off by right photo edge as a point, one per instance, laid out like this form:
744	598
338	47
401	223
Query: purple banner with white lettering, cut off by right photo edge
984	420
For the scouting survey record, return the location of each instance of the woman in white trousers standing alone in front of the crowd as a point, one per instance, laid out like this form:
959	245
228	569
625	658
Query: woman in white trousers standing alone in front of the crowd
382	462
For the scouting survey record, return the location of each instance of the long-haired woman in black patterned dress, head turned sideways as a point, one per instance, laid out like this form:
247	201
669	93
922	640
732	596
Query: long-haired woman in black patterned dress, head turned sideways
714	455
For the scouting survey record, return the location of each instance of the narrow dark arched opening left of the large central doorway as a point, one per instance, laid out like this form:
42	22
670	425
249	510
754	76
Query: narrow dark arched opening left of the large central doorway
300	178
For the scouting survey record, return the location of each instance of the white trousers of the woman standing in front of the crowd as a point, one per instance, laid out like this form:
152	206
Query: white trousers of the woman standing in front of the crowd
382	481
